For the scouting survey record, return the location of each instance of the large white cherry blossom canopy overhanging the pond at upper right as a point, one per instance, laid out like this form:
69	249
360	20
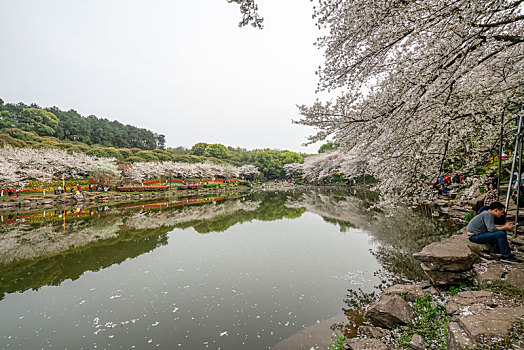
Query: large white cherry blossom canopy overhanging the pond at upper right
420	84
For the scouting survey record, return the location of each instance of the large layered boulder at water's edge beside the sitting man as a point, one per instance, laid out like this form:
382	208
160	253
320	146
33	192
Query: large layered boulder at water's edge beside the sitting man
448	261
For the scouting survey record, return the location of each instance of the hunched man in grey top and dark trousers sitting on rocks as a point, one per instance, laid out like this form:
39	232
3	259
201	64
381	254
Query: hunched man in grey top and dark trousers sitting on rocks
482	229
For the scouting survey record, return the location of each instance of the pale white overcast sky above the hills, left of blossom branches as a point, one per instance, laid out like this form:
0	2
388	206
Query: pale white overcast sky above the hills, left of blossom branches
182	68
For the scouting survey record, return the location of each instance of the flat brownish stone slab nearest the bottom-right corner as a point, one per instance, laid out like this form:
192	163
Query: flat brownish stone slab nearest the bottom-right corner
494	324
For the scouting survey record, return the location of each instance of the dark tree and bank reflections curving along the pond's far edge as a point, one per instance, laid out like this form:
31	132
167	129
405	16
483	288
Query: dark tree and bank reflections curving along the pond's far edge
36	251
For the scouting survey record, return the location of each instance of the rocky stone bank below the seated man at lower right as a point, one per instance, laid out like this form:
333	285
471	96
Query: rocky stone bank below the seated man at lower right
487	314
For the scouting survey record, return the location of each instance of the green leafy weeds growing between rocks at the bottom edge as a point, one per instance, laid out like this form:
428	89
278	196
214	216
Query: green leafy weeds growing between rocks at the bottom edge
431	323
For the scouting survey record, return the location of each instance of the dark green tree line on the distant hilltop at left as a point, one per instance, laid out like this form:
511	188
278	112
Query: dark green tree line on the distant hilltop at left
71	126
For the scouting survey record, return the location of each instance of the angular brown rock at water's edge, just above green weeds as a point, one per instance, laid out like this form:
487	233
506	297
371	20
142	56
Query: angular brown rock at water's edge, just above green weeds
389	311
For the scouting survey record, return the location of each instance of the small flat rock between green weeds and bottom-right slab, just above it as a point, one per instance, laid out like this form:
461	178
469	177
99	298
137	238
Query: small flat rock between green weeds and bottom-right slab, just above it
470	301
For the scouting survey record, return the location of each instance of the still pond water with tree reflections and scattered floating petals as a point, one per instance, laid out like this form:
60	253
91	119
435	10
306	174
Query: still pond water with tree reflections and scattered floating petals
243	272
